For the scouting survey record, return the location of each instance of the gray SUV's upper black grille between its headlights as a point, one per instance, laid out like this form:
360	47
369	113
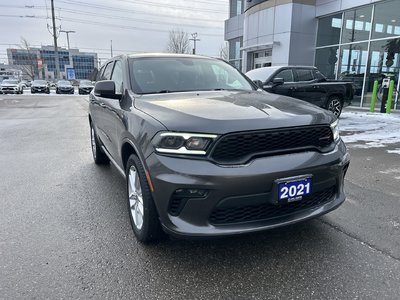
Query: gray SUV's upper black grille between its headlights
240	147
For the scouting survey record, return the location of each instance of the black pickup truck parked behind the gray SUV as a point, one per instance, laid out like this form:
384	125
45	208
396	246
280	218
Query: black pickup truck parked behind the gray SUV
305	83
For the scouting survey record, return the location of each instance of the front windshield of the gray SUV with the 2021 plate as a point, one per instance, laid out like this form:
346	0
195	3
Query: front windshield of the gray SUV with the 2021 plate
180	74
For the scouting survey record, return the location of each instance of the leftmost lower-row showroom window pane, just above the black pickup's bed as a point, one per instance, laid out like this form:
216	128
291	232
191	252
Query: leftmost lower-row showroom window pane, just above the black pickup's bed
326	60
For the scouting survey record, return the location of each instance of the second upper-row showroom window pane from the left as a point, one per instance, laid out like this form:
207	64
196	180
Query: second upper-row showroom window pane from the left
357	25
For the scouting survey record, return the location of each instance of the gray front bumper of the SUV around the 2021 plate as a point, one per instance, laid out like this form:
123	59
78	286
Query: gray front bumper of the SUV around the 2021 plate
236	187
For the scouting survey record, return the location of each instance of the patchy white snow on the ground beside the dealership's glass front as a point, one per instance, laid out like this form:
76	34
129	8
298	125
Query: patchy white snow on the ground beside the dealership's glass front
370	130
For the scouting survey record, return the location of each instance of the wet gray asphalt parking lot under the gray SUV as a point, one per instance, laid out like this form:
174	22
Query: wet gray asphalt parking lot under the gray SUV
65	232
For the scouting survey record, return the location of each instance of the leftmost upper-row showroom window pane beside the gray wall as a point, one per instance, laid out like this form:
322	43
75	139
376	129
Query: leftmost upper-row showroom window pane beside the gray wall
329	30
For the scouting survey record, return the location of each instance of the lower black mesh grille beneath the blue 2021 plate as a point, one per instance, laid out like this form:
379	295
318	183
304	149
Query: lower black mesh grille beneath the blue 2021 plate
268	211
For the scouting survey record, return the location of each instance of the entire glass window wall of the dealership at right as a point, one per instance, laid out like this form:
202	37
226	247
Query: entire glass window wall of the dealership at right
361	45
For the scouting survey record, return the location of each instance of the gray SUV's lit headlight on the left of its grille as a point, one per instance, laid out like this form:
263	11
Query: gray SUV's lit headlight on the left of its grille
183	143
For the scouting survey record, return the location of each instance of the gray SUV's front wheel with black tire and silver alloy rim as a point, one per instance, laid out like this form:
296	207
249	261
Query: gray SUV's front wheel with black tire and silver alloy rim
142	210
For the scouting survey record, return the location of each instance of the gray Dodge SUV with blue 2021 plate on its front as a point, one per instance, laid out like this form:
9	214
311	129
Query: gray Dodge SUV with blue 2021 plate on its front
206	153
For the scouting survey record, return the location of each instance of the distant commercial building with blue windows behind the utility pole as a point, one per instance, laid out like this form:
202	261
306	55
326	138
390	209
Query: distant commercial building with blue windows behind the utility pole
40	62
